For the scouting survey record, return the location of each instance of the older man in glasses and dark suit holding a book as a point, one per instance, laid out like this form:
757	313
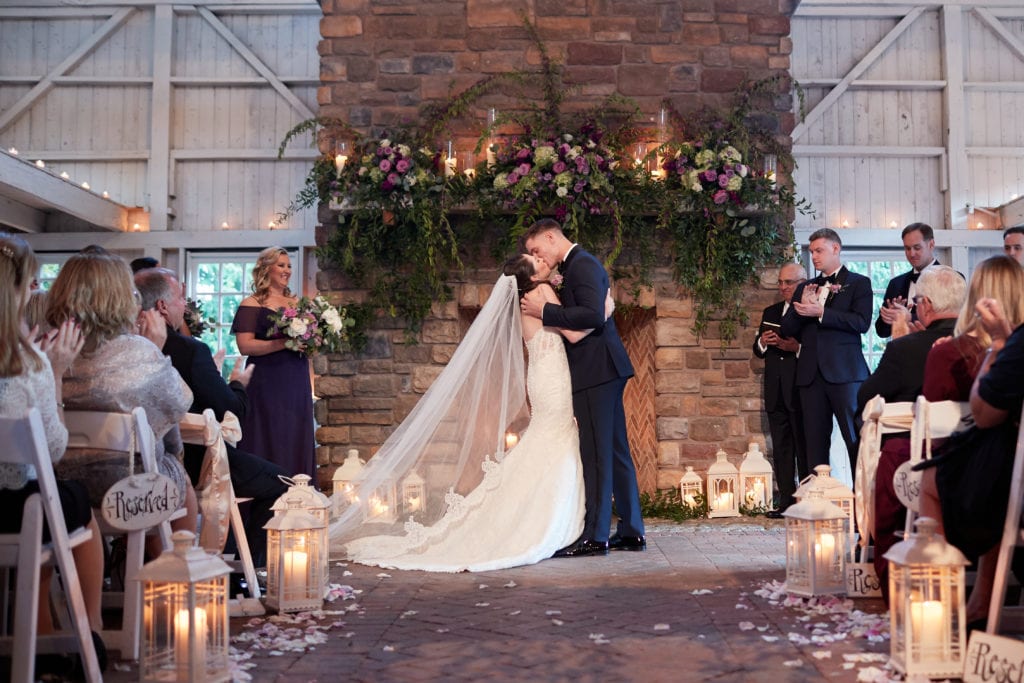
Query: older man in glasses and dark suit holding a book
782	403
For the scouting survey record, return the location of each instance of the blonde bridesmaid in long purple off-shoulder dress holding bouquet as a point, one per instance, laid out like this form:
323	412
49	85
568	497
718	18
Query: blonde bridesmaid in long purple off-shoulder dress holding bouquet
279	424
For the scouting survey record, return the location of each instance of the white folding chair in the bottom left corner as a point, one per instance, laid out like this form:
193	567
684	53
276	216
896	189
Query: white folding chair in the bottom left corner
25	444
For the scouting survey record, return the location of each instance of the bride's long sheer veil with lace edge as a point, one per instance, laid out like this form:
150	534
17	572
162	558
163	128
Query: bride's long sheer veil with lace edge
466	417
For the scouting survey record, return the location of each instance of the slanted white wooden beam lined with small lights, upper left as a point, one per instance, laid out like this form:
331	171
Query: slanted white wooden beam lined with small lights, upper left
23	183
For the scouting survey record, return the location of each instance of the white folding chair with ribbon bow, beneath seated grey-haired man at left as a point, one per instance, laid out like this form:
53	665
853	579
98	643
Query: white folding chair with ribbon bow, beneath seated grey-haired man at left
216	483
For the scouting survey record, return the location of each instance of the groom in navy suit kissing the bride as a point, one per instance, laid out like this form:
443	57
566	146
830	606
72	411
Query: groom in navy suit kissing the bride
600	369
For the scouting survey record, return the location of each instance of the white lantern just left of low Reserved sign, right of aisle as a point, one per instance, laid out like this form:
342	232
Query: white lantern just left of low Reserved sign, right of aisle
816	543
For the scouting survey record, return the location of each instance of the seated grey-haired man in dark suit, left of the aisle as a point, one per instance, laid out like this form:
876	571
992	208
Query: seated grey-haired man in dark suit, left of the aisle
251	477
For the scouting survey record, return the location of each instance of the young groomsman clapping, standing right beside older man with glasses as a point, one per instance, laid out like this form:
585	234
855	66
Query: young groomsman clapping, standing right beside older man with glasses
828	316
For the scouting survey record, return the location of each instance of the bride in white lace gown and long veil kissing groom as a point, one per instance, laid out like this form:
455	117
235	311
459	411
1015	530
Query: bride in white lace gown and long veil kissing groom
457	487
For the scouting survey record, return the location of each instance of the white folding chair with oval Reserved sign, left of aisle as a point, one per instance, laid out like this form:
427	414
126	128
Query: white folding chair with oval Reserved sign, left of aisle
129	434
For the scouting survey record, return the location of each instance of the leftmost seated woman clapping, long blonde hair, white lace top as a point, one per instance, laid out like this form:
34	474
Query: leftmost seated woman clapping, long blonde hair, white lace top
30	377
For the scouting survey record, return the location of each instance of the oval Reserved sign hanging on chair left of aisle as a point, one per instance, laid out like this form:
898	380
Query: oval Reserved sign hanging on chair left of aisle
141	501
